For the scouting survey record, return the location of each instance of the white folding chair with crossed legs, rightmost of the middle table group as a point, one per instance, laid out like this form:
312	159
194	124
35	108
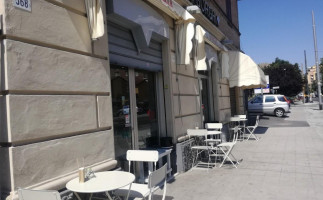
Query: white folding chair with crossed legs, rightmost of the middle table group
227	147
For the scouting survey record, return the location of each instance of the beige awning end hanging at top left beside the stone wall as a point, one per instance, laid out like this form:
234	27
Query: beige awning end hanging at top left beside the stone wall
95	18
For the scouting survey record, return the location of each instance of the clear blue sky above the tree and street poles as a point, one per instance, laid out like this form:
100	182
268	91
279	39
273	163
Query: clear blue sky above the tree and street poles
280	28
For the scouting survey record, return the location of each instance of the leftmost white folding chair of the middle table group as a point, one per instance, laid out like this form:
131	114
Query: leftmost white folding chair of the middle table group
199	148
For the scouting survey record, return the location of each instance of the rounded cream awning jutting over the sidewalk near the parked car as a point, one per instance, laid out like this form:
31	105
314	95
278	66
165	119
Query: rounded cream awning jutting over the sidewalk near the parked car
244	72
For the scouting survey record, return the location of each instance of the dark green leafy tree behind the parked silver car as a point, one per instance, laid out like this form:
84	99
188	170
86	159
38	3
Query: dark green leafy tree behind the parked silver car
285	75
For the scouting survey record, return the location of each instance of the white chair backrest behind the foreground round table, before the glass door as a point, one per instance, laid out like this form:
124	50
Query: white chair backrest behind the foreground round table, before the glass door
142	156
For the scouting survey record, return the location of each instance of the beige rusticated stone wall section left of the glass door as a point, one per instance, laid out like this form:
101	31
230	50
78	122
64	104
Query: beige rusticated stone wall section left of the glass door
55	98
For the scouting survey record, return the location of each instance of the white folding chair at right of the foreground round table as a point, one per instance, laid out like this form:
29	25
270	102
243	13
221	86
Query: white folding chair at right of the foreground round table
155	180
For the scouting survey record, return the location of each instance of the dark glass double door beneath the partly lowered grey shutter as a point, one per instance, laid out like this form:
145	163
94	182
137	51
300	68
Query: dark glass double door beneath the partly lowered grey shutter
135	116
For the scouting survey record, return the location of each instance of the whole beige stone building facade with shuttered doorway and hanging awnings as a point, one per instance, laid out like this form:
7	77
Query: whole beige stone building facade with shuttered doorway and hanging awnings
68	101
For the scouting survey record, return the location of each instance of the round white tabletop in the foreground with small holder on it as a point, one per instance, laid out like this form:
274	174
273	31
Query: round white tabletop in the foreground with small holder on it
102	182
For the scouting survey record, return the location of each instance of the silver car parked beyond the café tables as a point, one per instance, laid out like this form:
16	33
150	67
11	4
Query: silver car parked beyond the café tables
272	104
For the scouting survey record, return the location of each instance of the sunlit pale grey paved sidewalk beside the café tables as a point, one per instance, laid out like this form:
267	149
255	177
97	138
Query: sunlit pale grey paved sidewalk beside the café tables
286	163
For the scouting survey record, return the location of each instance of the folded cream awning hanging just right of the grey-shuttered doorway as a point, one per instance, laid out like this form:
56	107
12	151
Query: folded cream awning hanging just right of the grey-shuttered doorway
184	36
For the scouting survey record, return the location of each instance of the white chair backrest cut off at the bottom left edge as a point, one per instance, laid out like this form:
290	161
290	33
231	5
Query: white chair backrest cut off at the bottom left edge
25	194
